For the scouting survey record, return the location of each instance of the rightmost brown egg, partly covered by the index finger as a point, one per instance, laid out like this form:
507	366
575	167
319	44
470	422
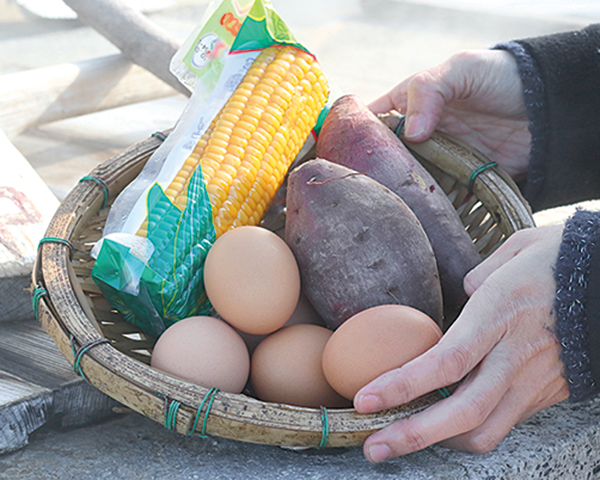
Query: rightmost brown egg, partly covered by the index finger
373	342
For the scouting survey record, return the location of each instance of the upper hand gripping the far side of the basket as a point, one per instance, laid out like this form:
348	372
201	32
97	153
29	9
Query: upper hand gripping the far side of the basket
475	96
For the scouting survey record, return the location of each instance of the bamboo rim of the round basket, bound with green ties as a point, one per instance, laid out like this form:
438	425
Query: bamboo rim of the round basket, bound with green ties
151	392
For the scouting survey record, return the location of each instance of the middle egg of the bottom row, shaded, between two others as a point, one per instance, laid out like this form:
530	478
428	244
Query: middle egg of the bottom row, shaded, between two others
286	368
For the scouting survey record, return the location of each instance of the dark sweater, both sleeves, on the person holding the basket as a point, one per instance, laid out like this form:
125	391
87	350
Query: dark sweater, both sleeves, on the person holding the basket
561	82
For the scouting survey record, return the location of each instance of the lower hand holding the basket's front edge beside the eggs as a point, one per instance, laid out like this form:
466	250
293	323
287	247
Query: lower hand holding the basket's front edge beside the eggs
503	346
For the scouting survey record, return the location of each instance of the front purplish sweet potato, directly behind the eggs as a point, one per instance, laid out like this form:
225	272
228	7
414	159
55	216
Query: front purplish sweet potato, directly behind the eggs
357	244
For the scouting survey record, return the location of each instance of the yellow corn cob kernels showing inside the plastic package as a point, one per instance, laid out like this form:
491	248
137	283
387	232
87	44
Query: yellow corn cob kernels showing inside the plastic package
246	151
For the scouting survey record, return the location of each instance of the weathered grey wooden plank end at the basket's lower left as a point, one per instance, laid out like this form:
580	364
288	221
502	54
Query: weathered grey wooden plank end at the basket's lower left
38	386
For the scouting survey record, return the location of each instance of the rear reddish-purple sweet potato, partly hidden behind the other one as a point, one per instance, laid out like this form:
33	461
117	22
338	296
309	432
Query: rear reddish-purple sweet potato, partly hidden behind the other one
354	137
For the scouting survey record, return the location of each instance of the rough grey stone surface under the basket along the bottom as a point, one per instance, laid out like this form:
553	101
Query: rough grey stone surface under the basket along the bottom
561	443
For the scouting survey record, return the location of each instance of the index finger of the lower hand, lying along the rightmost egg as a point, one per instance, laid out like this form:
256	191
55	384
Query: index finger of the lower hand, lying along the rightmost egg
460	349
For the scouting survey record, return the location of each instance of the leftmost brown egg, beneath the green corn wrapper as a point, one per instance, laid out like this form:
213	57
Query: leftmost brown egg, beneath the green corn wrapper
205	351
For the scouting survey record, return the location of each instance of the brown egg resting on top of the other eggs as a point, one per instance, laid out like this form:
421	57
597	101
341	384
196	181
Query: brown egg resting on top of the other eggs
252	279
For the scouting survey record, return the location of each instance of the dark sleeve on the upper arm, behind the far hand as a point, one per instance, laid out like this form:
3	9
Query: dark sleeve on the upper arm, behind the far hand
561	80
